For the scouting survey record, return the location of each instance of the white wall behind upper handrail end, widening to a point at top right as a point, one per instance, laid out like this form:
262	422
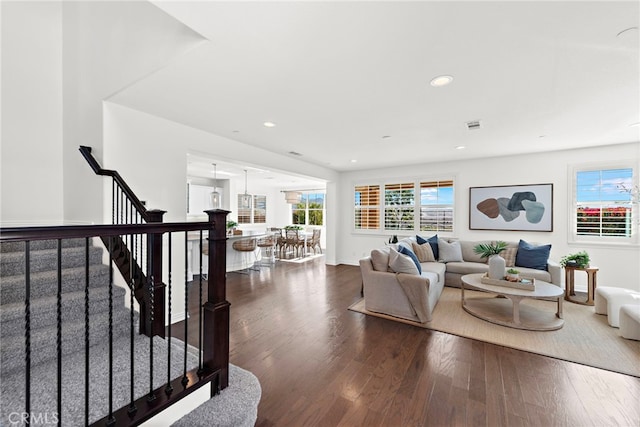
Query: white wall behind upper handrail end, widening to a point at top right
107	47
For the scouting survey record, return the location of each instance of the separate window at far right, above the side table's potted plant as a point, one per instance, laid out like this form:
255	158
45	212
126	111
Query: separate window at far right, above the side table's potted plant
604	203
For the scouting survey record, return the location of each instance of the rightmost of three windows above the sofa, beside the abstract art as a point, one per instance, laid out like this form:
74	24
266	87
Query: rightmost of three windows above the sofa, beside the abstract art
436	206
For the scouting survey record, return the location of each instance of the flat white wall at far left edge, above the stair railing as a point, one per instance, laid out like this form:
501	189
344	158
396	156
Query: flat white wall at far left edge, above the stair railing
31	169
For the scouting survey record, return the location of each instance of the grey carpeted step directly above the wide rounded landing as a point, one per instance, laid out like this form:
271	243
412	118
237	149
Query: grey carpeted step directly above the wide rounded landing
44	340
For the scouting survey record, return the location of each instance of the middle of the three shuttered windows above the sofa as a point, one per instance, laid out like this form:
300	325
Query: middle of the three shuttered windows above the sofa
399	205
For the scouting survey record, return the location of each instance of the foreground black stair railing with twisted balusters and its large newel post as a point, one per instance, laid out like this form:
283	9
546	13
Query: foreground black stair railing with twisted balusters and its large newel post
213	326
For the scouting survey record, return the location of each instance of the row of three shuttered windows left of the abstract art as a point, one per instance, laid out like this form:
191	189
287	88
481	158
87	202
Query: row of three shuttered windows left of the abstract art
407	205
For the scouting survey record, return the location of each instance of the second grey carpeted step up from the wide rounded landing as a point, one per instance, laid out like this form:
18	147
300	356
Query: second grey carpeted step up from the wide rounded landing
43	311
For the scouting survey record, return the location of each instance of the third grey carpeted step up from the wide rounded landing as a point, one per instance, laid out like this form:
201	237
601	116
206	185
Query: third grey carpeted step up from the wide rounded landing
45	283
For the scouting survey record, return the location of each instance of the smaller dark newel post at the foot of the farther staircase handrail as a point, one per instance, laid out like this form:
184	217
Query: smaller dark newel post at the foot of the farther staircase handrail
154	245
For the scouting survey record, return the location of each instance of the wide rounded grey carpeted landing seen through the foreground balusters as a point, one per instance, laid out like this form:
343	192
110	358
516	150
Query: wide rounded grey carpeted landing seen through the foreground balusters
44	389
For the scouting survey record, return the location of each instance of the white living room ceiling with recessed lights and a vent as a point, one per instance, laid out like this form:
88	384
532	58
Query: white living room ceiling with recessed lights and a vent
349	81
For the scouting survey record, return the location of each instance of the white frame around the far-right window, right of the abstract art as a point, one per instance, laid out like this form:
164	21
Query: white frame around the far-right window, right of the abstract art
598	240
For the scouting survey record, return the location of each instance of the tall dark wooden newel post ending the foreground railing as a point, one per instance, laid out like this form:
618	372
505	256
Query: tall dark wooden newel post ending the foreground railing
216	308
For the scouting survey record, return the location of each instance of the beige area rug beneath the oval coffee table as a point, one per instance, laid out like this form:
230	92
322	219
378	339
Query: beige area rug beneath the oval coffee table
585	338
